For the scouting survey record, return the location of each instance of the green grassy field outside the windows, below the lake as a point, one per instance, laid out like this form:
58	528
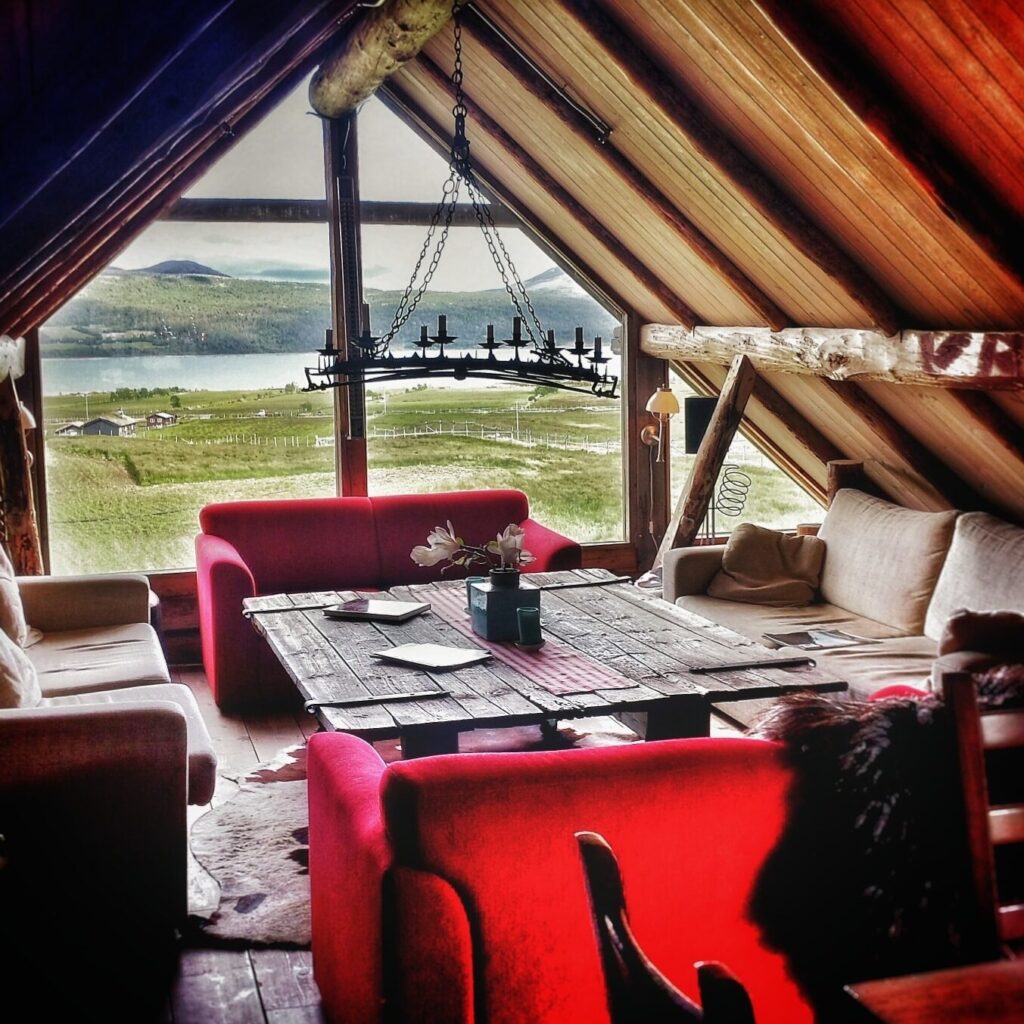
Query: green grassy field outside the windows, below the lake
119	503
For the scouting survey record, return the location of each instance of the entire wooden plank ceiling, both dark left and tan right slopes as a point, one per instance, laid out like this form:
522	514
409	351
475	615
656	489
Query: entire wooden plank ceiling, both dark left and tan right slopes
781	163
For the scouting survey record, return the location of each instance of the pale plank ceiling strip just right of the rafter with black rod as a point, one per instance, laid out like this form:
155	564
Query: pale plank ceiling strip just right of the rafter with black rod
646	136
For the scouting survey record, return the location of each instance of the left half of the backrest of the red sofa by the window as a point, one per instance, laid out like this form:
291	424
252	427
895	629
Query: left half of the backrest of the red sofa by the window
301	544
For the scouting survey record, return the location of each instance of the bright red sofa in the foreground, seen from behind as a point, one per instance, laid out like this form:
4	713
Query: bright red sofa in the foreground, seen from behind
450	889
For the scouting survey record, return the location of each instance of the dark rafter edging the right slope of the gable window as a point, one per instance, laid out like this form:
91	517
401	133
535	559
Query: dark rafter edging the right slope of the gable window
566	257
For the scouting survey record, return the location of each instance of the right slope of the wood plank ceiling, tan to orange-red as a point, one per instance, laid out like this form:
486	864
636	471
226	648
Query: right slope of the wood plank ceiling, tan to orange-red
800	206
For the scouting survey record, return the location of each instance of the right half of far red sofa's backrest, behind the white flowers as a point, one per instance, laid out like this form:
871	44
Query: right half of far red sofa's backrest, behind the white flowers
404	522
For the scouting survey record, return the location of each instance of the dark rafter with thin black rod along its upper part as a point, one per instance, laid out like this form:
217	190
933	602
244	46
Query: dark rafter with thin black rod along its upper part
605	152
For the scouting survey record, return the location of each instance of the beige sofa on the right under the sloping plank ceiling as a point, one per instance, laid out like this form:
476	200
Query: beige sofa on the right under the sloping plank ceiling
890	574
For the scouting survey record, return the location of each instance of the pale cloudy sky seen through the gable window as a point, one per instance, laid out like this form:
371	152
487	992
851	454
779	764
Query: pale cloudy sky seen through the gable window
283	158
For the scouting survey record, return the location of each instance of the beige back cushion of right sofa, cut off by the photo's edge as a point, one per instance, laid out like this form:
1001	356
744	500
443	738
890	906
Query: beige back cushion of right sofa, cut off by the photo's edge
985	571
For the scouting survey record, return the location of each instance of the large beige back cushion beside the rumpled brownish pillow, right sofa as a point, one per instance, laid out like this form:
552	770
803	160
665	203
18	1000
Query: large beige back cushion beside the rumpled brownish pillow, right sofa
882	561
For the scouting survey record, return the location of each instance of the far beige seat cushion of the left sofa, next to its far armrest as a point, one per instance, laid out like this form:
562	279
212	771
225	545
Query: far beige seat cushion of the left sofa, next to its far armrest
104	659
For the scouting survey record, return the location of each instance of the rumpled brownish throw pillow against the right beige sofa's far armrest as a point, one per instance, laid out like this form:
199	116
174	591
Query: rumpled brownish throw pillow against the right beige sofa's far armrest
764	567
